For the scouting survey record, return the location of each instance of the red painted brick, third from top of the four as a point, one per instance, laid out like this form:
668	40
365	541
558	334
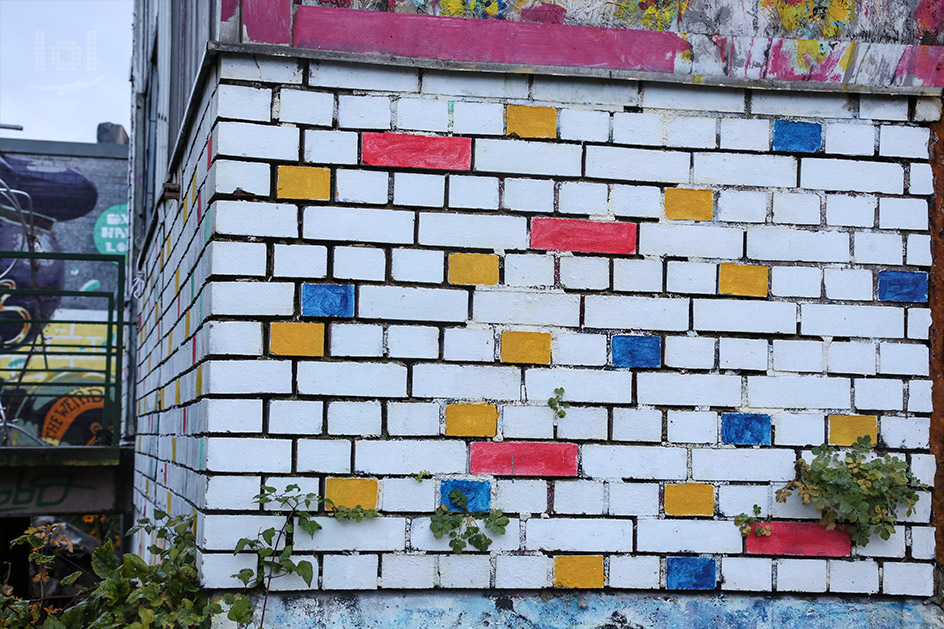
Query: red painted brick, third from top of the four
524	458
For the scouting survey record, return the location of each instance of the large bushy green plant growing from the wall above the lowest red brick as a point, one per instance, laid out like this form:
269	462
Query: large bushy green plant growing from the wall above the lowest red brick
854	489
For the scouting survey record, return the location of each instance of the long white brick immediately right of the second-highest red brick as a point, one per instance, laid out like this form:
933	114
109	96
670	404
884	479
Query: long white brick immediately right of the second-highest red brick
694	241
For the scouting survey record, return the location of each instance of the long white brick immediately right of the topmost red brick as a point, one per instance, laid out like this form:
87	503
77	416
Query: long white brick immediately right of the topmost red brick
531	158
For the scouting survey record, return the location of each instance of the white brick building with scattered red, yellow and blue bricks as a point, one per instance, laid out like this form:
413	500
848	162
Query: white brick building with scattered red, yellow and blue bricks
611	268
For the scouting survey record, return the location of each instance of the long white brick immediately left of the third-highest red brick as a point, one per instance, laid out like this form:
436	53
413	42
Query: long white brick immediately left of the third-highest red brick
401	457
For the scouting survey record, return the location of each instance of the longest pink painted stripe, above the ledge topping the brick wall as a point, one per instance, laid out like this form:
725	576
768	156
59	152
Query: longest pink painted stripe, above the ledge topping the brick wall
488	41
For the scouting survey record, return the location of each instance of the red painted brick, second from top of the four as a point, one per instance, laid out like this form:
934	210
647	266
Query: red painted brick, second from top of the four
563	234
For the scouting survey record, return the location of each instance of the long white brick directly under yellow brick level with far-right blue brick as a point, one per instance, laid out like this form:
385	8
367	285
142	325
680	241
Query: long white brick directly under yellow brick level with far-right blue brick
732	315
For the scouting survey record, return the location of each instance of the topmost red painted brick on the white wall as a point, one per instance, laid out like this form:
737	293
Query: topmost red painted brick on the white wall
403	150
